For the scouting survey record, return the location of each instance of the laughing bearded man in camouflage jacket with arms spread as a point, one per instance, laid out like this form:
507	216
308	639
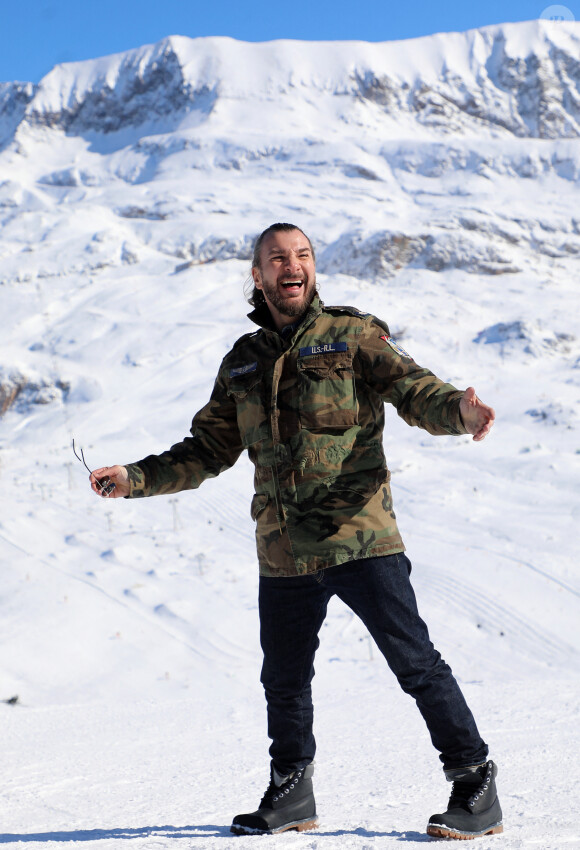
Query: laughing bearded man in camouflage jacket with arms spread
304	395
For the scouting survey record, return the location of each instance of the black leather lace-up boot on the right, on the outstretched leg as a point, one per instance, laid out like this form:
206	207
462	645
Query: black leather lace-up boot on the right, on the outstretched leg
473	808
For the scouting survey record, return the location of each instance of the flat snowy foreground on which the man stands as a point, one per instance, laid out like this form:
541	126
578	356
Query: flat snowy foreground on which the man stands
154	771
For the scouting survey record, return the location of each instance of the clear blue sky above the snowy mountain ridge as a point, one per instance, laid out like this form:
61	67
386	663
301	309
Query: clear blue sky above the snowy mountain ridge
35	35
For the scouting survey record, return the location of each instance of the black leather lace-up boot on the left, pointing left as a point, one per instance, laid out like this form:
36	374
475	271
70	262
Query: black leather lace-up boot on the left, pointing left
288	805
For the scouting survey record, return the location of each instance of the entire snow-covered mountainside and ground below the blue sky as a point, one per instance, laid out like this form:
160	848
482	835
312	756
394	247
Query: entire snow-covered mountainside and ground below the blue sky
438	180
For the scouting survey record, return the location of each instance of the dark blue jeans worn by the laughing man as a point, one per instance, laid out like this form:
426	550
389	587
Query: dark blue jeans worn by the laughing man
379	591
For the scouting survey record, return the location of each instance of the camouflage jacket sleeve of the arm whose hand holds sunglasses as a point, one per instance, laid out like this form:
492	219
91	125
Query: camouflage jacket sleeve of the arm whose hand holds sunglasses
213	447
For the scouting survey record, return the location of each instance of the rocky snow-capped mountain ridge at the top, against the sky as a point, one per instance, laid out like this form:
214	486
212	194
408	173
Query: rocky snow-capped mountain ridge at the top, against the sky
523	79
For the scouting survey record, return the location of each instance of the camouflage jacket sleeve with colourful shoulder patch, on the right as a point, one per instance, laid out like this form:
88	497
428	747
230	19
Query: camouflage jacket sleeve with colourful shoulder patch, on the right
419	396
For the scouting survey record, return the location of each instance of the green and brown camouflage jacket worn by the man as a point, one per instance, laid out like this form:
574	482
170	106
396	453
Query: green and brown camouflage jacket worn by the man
310	412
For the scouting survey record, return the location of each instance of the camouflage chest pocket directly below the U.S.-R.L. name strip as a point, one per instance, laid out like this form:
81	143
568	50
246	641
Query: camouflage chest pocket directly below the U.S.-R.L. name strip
327	395
